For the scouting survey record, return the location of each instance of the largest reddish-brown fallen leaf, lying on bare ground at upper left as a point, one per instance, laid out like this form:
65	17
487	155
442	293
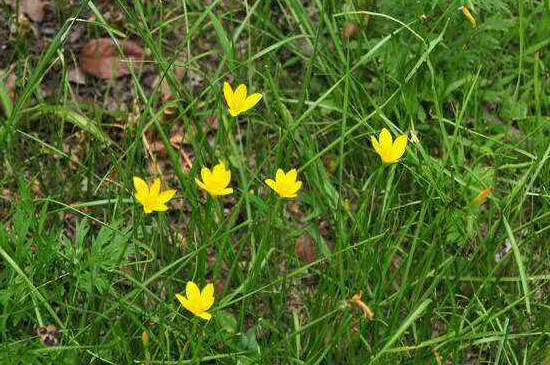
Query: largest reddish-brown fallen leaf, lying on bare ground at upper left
101	57
